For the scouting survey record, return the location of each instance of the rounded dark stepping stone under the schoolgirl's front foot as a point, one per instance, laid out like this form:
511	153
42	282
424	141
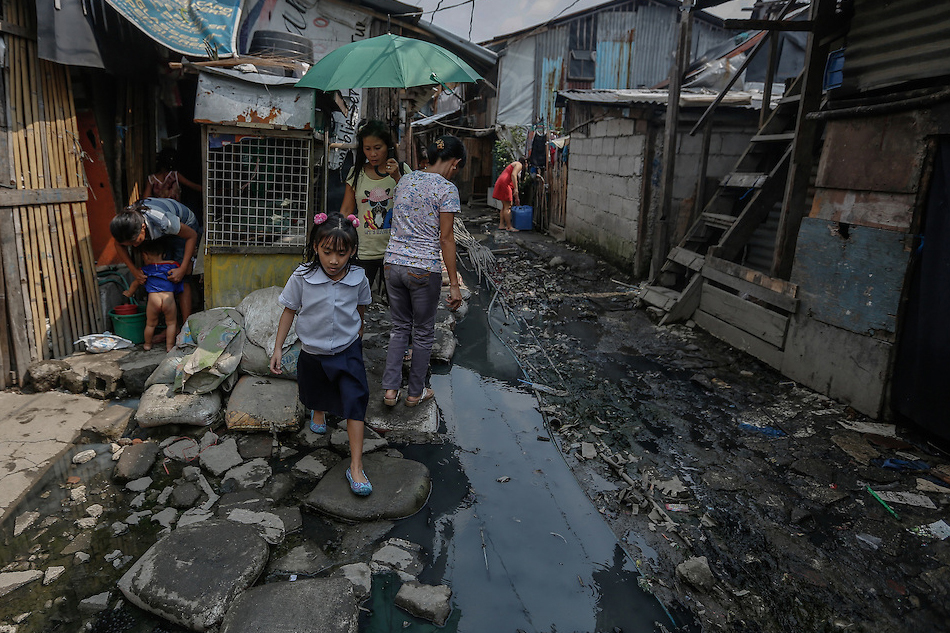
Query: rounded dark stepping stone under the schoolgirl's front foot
400	489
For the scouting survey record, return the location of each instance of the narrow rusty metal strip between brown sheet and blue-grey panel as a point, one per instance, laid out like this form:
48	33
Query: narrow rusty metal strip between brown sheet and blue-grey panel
892	211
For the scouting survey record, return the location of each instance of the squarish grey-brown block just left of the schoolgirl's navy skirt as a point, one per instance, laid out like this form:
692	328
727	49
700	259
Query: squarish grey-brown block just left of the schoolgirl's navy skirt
257	403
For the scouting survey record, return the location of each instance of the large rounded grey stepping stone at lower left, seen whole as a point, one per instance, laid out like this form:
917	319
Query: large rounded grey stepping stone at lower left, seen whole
191	576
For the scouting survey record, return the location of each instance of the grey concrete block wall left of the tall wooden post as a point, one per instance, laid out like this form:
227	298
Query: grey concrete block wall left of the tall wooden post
604	189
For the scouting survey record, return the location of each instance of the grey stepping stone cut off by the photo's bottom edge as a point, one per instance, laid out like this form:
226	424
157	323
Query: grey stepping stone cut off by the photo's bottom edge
317	605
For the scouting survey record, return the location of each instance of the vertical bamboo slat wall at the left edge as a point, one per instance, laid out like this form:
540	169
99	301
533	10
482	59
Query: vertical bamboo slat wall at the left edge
48	264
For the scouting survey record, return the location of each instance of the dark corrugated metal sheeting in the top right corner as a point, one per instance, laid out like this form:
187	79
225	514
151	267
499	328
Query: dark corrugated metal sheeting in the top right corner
895	42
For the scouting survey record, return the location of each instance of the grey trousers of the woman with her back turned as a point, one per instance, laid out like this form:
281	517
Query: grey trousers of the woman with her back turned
413	301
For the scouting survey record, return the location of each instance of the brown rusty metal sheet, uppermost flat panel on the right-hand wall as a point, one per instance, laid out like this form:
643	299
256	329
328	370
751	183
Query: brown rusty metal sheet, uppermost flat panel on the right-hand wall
874	154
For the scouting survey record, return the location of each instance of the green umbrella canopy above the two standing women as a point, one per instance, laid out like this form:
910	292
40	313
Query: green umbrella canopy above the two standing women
387	61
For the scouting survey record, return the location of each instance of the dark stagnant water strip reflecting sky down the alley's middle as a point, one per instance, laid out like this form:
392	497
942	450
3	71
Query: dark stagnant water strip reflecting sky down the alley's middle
510	529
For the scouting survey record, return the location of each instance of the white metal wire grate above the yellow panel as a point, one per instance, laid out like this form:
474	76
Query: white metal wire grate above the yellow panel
258	190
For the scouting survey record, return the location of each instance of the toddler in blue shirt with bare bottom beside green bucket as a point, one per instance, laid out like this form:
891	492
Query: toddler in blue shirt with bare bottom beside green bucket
161	291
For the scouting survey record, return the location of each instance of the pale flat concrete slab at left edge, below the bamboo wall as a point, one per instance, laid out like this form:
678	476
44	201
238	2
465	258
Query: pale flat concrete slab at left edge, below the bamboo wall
34	431
